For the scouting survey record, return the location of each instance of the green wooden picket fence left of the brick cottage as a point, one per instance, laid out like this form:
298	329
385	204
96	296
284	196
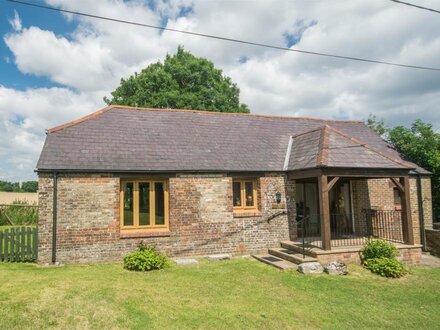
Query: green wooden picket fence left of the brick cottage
19	244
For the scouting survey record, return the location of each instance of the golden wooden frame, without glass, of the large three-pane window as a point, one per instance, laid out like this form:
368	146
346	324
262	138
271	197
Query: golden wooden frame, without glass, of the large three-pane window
152	226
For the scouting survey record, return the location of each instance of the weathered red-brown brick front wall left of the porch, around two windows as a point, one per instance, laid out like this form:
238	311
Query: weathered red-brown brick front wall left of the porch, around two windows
201	219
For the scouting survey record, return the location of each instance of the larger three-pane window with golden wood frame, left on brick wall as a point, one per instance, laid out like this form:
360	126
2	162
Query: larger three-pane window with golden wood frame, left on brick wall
144	204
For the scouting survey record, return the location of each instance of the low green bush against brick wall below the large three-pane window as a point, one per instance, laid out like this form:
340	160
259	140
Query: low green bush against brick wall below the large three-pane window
145	259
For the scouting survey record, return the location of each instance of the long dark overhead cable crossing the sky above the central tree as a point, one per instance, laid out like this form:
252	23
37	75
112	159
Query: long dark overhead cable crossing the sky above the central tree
359	59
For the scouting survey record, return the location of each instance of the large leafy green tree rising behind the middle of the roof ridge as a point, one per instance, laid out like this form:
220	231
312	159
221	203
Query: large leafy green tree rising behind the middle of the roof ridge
182	81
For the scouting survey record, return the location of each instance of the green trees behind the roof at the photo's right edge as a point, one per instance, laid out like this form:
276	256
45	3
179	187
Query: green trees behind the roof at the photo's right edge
419	144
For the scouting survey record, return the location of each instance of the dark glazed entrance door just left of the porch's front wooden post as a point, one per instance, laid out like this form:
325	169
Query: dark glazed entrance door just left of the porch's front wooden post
307	205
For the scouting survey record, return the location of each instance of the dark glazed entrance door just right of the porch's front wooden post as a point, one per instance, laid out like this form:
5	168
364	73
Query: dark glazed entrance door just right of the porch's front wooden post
340	209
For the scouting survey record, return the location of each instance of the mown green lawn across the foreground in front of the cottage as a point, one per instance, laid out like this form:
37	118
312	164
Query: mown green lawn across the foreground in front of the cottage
222	295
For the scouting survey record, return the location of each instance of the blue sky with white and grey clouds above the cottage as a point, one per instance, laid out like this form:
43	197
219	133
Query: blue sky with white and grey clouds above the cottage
57	67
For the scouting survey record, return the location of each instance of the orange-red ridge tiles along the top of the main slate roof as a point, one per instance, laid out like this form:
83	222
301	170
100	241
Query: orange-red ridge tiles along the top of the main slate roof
114	106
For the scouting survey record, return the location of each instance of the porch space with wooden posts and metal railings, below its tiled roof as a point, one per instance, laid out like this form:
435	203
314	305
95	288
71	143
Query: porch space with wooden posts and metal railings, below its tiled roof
326	217
